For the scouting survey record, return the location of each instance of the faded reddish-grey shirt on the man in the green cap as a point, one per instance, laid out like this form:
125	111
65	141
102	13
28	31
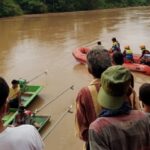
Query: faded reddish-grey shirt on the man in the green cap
124	132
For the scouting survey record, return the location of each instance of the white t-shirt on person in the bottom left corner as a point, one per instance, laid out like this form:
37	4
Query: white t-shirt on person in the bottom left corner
24	137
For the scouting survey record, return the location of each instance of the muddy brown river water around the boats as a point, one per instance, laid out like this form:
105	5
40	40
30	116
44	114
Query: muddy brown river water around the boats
31	45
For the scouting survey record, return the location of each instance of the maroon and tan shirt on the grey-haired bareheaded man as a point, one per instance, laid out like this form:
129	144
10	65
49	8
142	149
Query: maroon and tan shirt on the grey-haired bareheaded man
87	108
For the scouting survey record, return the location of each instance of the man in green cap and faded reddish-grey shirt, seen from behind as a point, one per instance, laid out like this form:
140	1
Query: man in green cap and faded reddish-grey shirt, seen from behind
118	127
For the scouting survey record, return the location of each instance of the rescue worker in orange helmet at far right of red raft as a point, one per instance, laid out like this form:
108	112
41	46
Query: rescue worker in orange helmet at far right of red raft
145	57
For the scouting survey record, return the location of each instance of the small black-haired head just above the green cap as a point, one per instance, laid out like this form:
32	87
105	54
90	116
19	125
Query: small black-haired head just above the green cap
117	58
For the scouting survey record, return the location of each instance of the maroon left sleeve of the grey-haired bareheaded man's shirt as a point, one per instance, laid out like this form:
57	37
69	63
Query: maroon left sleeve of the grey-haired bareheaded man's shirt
81	121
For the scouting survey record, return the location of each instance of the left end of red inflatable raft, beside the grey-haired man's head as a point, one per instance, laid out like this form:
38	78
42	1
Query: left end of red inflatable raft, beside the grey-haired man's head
80	54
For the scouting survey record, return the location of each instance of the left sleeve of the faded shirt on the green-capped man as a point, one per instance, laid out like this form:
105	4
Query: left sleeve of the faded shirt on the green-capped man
97	141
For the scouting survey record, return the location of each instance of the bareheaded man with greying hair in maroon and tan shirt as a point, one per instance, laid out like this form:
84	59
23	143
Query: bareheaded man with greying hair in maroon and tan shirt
87	108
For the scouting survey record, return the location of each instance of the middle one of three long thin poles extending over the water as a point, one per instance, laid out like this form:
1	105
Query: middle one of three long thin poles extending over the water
71	87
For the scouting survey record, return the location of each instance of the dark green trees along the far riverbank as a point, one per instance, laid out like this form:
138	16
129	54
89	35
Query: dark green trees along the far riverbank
18	7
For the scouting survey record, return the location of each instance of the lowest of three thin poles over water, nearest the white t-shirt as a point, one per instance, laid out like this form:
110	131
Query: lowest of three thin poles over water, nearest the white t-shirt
57	122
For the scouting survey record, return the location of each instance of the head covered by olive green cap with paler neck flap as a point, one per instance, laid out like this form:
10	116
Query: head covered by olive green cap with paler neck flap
115	84
